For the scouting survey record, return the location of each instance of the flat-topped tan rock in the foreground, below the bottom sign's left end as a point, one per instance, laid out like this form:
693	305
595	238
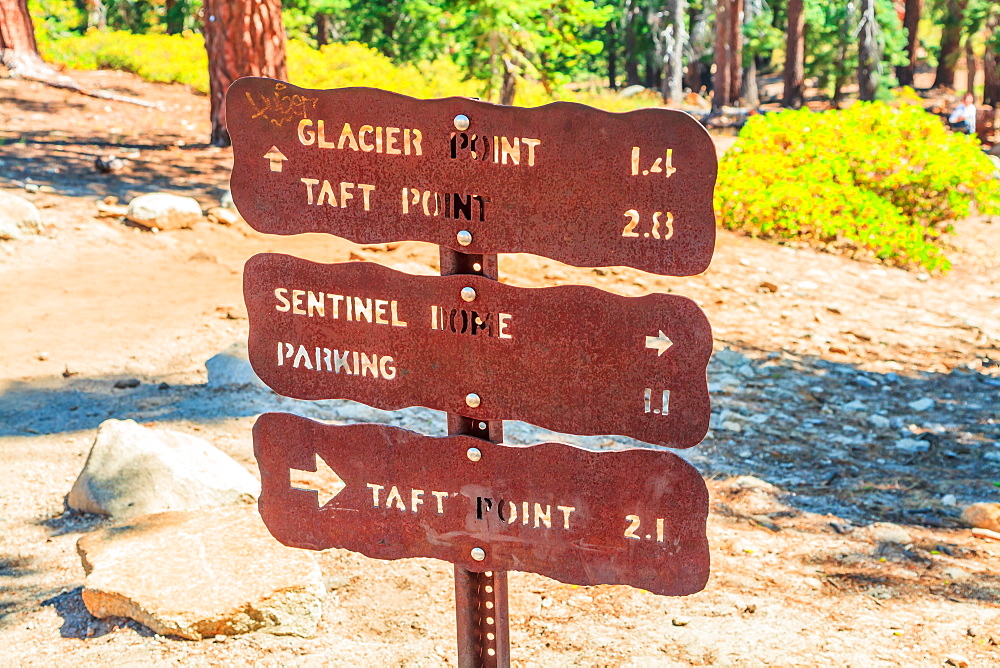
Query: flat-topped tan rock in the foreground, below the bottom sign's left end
201	574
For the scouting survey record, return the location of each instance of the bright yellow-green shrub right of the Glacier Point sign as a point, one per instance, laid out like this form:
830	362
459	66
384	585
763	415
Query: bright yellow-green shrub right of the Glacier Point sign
872	181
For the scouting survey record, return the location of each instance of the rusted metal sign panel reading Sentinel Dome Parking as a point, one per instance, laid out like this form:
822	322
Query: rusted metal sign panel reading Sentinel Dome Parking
573	359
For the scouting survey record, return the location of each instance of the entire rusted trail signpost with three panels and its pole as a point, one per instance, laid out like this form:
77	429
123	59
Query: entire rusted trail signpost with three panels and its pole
564	181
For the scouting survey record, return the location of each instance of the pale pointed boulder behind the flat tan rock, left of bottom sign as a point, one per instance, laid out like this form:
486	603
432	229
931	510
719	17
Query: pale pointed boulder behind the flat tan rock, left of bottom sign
133	470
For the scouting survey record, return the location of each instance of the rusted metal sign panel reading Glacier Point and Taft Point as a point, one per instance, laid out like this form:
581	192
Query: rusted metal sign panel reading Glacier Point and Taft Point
576	184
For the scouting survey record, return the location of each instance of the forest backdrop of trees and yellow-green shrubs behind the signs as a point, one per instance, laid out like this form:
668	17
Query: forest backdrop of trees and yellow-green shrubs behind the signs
881	181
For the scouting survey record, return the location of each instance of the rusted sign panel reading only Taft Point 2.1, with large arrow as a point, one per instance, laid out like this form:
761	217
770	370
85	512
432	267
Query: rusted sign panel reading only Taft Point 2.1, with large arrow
634	517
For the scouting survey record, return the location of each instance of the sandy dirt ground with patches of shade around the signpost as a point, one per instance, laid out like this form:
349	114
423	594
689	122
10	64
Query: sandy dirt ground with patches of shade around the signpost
834	355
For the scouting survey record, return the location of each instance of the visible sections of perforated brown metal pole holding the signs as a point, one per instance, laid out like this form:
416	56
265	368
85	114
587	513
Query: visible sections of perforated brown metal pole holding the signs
480	598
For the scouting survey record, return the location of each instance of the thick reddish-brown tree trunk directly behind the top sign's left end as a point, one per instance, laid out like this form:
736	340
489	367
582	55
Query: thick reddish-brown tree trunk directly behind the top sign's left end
243	38
